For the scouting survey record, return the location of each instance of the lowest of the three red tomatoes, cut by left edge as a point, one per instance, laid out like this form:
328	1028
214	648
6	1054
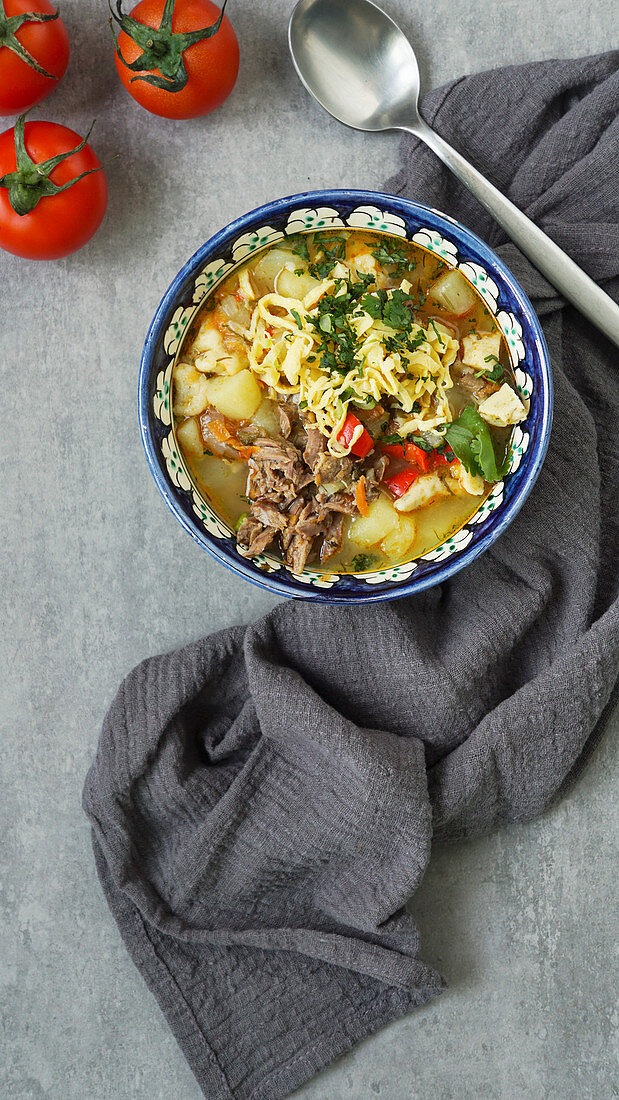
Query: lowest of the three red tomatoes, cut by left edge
59	224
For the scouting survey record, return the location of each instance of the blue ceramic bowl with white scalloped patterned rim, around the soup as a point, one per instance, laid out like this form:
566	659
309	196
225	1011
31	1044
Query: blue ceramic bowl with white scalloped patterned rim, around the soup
440	235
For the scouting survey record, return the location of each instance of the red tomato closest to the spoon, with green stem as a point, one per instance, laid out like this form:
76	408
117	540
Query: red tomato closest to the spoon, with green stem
212	65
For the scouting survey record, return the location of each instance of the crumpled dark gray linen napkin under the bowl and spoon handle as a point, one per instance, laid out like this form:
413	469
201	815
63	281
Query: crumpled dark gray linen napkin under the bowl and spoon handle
263	802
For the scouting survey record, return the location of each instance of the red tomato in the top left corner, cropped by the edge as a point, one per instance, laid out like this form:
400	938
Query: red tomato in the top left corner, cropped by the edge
21	86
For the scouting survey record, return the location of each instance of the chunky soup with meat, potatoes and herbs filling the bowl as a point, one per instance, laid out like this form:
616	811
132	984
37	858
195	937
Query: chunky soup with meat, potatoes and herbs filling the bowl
345	400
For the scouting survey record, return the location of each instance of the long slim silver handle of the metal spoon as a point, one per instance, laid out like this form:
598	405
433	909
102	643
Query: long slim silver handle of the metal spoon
570	280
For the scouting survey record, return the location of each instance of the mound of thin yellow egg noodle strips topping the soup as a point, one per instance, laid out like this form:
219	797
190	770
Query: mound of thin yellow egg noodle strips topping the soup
286	338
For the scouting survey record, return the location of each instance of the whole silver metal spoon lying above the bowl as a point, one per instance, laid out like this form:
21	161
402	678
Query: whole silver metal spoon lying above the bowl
361	69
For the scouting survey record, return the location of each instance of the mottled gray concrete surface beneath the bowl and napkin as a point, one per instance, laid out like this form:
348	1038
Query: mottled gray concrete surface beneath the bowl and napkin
97	575
